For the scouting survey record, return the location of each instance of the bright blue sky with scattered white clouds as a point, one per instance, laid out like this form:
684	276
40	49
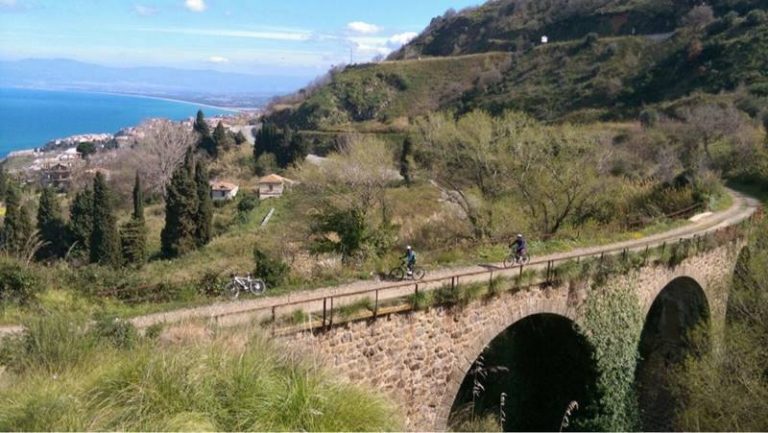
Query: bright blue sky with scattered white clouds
261	37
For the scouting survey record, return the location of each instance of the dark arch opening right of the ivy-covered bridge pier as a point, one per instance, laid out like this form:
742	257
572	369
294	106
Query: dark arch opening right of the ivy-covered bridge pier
676	311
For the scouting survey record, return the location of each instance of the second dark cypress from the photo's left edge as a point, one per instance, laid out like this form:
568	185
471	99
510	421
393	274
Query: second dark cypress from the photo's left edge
50	224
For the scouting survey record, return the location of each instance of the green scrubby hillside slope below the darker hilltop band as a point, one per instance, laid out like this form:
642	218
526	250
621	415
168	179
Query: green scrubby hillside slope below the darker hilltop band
589	77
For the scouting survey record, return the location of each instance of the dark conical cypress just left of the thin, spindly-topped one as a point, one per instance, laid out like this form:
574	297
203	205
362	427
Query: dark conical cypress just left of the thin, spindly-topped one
105	243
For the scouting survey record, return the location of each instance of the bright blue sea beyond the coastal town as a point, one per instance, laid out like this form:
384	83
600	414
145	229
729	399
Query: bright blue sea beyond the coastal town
30	118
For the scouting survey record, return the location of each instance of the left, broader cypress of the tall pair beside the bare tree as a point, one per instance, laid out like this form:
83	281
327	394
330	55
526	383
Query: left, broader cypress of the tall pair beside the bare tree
178	235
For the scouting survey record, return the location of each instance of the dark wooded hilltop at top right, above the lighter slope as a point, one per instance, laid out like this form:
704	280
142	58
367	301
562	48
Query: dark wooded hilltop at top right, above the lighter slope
511	25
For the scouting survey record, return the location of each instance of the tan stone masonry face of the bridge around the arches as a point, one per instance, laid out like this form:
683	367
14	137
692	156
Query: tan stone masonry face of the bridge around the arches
421	358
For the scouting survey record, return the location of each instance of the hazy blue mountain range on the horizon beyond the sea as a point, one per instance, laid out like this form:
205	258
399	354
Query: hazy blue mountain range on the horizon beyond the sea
70	74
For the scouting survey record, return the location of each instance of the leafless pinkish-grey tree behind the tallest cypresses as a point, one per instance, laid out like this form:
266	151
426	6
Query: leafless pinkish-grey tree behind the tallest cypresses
161	150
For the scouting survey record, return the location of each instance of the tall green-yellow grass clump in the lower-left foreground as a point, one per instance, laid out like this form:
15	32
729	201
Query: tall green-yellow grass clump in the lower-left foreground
194	386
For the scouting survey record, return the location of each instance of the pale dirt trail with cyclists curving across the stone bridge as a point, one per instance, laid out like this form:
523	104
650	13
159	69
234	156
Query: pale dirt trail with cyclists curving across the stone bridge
742	208
